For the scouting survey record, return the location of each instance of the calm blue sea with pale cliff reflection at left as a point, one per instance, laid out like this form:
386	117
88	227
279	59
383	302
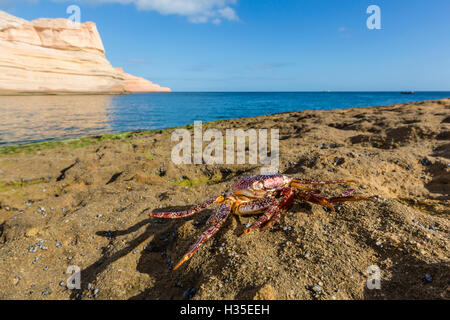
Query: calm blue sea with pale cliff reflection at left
26	119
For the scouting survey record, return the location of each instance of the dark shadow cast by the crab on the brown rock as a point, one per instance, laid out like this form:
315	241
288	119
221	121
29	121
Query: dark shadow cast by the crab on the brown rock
154	259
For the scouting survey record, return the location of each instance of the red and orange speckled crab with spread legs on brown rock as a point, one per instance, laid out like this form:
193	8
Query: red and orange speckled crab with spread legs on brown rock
268	195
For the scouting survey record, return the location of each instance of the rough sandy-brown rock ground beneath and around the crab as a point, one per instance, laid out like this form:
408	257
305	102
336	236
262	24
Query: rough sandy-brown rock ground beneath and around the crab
87	206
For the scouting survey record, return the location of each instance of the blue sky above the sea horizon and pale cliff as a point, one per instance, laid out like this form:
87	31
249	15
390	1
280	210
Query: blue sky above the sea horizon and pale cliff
269	45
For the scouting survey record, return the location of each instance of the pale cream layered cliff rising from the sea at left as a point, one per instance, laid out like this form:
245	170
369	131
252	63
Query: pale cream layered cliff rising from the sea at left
56	56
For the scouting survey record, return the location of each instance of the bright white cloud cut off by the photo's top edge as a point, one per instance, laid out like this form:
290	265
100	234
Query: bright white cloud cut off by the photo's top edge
196	11
